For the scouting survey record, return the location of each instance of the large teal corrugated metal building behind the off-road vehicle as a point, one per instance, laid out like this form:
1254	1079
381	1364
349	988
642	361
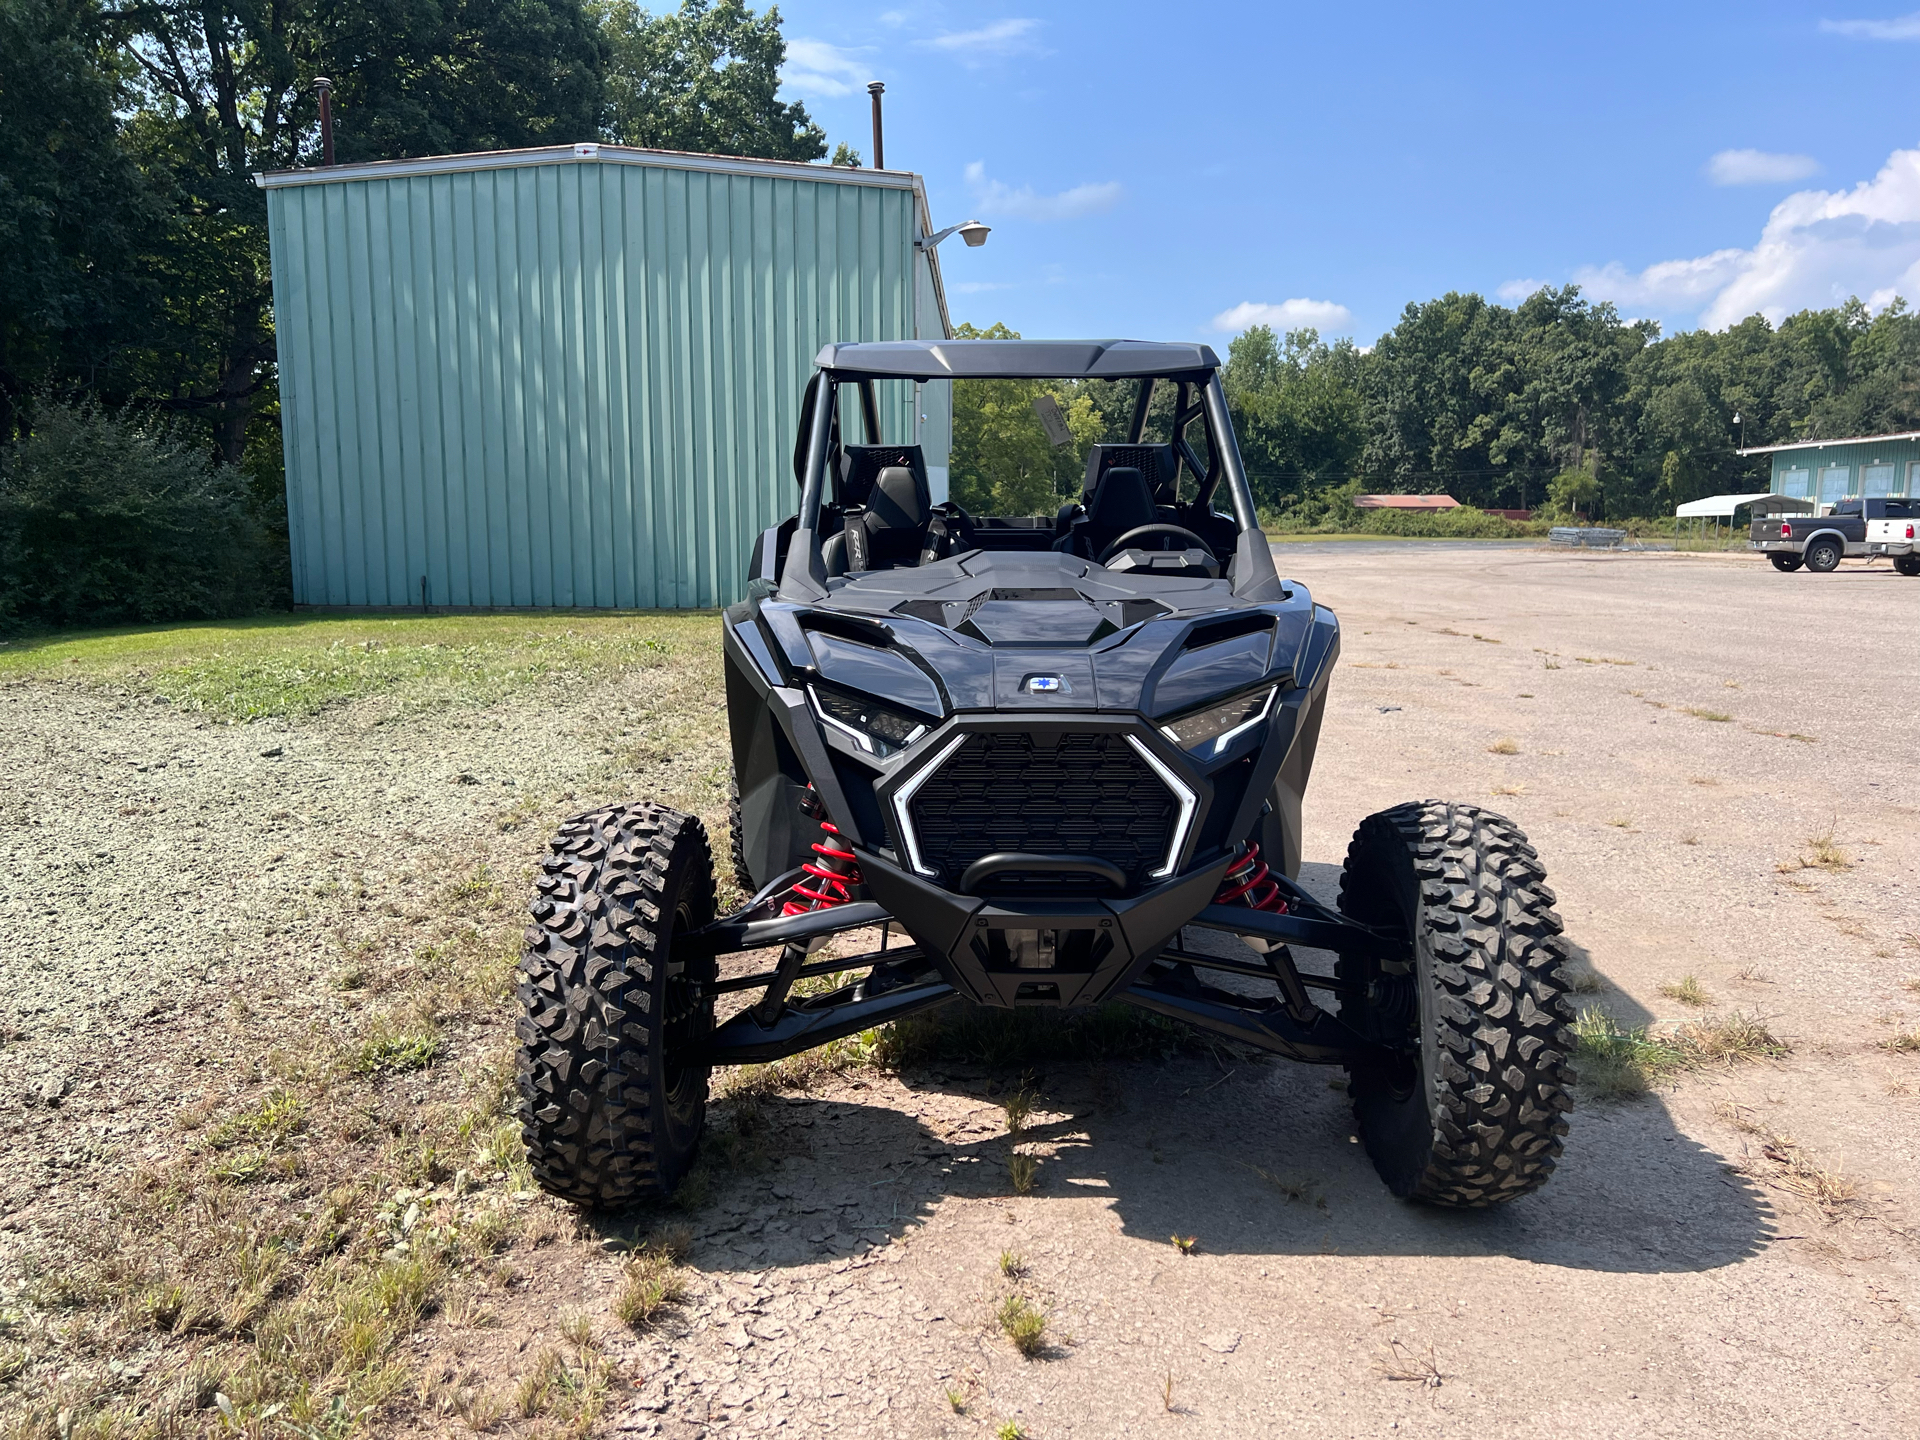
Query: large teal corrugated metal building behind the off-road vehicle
571	377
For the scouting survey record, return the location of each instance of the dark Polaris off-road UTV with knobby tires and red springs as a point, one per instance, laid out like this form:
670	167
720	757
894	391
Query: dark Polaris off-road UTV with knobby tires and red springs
1044	754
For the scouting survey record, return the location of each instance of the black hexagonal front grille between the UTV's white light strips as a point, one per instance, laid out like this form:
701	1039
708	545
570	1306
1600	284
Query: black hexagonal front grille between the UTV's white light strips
1044	794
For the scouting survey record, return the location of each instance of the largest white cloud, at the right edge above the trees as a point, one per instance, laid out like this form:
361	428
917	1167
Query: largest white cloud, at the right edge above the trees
1817	249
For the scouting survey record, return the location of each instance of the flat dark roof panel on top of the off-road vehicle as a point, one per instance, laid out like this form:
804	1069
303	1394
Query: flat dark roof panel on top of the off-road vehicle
1015	360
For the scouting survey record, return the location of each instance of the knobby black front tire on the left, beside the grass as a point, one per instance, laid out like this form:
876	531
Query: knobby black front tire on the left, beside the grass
612	1095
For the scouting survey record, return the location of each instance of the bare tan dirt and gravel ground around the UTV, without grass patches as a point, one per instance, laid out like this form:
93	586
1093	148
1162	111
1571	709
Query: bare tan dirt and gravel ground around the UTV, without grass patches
1717	765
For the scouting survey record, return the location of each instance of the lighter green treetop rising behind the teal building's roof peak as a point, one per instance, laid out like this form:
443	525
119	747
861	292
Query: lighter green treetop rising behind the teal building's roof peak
704	80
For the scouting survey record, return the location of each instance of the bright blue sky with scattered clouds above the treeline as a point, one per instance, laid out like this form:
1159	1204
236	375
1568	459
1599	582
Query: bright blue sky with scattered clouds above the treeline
1182	170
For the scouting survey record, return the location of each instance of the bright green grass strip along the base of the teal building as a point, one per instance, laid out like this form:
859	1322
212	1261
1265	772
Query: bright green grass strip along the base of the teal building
297	665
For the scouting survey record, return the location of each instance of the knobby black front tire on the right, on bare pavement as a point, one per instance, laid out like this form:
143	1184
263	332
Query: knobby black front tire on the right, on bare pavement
1474	1116
